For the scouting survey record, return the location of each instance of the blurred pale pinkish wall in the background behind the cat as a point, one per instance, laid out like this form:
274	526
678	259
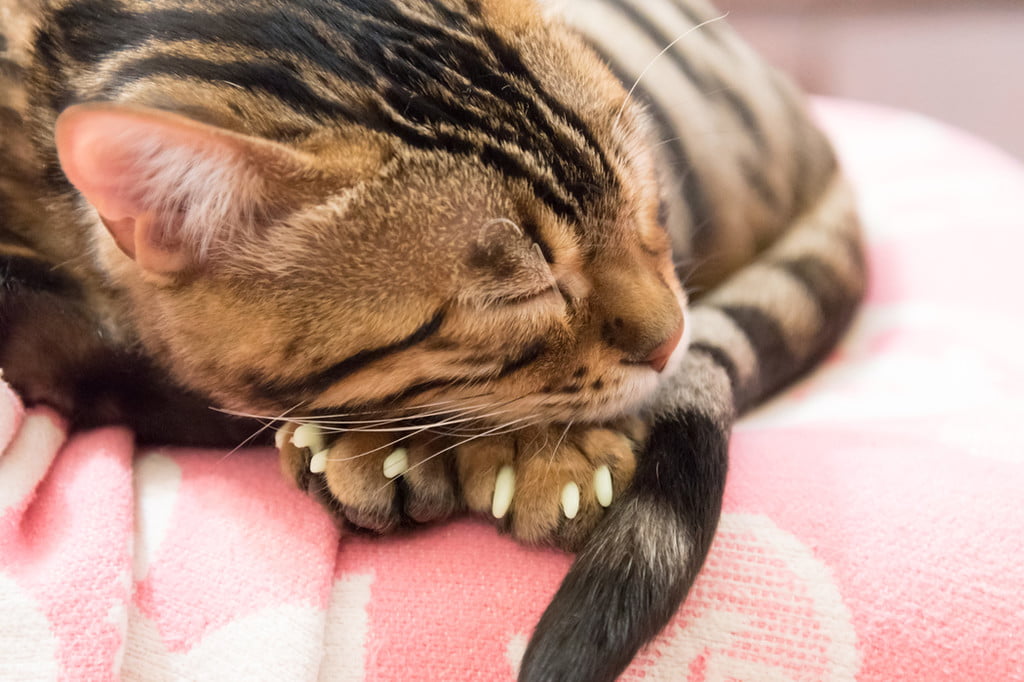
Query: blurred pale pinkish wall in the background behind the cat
959	61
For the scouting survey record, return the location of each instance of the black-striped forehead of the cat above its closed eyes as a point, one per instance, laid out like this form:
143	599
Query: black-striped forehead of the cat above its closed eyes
485	80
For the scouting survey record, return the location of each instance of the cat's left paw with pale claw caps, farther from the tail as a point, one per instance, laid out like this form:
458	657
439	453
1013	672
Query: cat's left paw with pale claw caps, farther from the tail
373	482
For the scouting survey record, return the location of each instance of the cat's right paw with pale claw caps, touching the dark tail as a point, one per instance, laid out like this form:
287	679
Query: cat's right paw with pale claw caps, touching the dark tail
550	485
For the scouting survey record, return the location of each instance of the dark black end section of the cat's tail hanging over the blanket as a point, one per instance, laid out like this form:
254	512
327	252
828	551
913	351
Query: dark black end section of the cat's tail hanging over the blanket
641	563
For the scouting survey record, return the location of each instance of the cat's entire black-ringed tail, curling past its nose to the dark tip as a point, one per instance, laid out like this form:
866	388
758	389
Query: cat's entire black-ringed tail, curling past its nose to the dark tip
765	326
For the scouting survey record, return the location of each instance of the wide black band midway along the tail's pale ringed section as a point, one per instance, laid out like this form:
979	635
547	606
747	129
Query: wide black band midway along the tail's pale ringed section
777	364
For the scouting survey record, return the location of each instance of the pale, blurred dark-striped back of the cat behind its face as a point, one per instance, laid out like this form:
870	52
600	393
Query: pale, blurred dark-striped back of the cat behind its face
740	156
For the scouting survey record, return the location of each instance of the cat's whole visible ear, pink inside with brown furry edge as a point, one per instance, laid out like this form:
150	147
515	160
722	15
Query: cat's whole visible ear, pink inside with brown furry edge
173	191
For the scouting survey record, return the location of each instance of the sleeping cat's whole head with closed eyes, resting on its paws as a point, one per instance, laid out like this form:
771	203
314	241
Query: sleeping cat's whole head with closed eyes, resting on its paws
496	246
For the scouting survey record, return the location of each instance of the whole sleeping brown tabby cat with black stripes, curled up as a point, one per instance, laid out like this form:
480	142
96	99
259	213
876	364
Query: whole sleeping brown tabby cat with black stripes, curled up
446	225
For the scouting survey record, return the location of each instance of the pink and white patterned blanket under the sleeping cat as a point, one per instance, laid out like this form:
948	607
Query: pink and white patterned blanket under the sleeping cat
874	525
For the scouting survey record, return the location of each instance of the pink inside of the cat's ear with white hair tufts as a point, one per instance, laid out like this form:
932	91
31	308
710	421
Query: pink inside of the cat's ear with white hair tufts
122	162
